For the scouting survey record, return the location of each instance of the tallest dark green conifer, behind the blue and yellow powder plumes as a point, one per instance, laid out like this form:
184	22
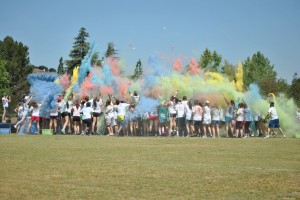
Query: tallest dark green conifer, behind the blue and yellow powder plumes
80	49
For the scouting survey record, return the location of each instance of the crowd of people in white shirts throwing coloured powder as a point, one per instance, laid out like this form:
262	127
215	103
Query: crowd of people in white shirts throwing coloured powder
175	117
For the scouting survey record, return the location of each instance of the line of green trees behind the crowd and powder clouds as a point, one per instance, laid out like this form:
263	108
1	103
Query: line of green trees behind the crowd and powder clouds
15	66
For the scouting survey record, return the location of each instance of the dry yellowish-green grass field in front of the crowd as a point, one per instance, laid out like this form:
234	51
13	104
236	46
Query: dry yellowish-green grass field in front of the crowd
101	167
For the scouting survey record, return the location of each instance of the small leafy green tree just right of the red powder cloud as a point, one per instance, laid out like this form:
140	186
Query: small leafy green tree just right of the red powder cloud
210	61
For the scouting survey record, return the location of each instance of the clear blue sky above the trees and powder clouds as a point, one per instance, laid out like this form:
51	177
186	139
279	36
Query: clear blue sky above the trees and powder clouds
234	28
